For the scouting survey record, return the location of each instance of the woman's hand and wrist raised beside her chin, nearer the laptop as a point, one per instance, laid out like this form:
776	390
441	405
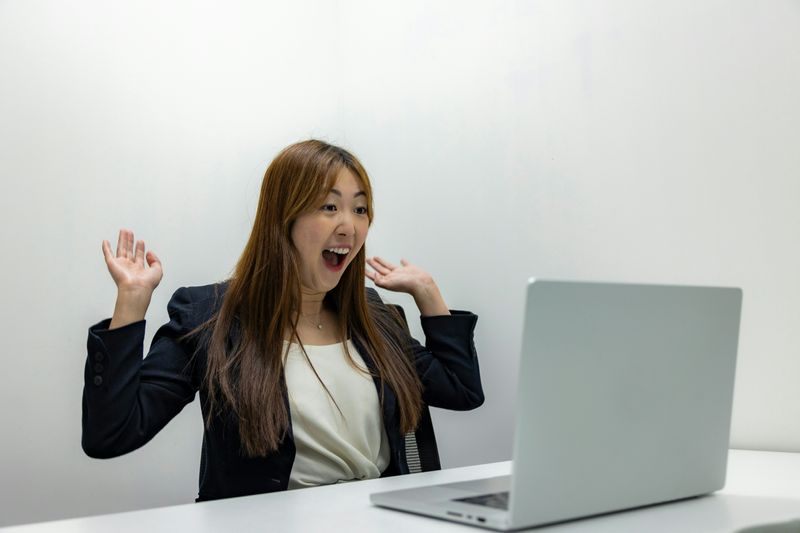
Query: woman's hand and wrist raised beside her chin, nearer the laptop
410	279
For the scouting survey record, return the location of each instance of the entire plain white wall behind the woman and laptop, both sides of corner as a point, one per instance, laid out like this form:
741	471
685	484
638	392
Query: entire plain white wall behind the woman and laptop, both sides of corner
618	140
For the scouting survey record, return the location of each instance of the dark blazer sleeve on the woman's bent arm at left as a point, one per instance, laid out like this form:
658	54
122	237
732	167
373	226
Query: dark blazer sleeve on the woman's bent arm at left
128	399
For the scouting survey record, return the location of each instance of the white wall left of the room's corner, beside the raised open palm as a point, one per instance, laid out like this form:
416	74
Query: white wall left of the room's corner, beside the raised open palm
158	116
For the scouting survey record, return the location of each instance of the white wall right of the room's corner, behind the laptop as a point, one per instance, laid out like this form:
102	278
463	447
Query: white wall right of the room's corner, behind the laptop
614	140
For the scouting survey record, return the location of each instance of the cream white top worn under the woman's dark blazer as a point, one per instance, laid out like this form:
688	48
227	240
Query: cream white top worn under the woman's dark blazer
333	446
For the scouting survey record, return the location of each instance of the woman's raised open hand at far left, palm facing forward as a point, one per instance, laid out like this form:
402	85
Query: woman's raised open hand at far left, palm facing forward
127	268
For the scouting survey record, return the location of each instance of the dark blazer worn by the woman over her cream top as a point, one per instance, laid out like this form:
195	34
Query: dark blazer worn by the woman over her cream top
127	399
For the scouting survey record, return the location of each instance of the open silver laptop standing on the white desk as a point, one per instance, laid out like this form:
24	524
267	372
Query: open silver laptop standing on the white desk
624	400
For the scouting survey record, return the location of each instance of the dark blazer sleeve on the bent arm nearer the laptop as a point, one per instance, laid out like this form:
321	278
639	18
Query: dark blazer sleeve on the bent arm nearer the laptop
448	363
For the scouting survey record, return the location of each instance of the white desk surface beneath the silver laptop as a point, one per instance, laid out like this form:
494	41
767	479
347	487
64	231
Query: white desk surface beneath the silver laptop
762	487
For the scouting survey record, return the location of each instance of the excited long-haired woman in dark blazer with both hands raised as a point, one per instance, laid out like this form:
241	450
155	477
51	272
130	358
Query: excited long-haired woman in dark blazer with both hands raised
305	377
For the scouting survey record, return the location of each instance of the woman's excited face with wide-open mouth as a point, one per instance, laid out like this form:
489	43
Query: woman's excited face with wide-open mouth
328	238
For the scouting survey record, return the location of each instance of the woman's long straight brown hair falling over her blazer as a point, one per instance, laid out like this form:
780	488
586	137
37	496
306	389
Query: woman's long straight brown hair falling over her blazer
244	370
